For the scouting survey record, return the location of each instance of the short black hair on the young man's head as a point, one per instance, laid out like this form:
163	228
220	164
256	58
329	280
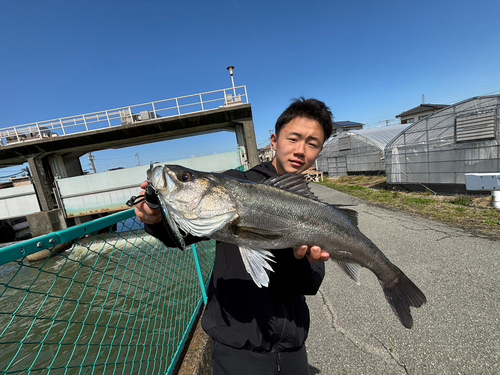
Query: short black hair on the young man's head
312	109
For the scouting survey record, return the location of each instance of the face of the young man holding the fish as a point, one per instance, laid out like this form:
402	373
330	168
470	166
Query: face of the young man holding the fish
298	145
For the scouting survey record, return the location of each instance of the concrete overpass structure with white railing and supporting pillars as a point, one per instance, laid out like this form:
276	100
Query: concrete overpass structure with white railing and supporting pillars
52	148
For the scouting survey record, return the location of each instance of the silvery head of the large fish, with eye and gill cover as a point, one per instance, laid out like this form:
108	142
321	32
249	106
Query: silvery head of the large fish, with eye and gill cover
199	202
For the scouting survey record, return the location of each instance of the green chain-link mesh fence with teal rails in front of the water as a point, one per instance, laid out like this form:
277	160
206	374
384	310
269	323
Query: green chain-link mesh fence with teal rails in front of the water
117	301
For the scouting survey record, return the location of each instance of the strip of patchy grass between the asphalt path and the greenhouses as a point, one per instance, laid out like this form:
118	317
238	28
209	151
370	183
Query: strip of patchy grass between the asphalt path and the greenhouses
471	213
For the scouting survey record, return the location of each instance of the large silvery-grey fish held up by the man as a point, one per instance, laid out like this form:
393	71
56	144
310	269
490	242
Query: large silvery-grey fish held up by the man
276	214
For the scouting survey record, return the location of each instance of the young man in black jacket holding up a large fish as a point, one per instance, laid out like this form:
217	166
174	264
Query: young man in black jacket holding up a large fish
263	330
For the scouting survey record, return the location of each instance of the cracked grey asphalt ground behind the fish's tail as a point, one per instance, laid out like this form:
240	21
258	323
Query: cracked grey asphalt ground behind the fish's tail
353	329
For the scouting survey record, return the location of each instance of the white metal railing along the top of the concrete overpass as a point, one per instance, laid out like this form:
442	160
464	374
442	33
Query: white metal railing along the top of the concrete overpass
124	116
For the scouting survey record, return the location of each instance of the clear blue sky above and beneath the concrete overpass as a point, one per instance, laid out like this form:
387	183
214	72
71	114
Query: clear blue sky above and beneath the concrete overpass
368	60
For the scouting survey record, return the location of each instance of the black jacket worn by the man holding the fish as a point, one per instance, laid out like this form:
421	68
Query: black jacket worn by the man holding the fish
244	316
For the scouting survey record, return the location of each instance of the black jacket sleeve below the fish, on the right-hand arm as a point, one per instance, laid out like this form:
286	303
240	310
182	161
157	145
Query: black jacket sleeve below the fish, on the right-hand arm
296	275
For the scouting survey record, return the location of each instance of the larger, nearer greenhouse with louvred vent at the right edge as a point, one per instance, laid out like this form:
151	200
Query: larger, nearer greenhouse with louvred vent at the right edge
438	151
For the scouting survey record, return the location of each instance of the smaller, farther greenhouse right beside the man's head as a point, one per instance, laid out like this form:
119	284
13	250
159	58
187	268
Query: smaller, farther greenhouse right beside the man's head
357	151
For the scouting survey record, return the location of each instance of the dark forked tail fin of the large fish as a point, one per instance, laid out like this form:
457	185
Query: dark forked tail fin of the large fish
401	295
